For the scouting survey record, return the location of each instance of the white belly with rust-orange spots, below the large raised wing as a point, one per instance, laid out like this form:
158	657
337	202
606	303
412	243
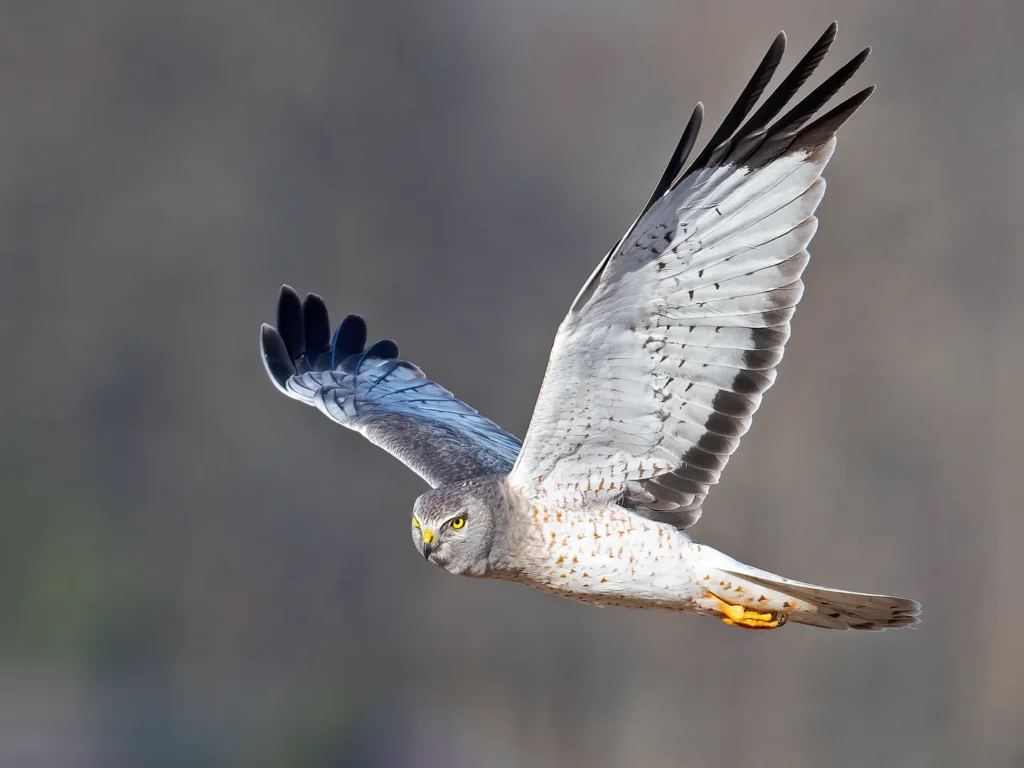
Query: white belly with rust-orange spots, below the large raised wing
610	557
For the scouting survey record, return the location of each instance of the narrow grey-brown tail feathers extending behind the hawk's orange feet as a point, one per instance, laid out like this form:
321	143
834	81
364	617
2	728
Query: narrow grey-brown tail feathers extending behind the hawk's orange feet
836	610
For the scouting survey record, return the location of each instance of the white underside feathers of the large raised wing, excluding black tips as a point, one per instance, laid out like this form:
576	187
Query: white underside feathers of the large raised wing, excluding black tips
674	347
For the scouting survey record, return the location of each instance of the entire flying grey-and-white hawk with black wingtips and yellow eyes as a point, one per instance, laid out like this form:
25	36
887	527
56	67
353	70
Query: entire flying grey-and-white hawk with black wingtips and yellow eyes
653	379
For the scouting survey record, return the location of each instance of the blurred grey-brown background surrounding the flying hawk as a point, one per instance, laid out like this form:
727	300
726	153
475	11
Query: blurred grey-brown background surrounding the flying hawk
197	572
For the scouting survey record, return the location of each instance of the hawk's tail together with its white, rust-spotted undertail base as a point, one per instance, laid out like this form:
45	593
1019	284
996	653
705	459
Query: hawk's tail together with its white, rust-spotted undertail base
757	590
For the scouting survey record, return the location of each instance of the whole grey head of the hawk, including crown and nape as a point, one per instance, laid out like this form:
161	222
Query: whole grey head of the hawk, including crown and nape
455	526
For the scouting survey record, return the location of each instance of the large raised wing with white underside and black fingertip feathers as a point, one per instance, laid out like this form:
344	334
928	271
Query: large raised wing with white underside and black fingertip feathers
665	355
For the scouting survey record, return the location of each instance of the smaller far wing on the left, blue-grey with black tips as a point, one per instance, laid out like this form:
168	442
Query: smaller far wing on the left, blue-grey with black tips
387	400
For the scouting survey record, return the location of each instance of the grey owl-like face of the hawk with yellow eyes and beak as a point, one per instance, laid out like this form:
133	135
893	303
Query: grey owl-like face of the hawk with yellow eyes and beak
454	532
